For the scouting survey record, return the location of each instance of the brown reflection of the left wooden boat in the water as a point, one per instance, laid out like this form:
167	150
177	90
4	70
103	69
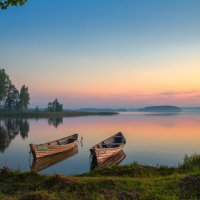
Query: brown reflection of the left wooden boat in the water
42	163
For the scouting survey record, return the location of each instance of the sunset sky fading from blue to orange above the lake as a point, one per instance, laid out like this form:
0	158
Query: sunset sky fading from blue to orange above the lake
104	53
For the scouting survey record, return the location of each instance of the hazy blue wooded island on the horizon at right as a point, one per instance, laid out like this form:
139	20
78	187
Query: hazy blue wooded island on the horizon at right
165	108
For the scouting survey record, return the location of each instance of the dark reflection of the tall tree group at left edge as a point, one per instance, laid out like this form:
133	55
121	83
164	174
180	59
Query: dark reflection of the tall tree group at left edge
10	128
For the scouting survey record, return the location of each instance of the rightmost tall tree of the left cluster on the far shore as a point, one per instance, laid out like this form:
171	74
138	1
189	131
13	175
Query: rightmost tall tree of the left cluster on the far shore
24	98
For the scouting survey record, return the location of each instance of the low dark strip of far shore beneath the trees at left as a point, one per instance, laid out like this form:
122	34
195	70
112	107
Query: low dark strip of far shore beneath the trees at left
41	114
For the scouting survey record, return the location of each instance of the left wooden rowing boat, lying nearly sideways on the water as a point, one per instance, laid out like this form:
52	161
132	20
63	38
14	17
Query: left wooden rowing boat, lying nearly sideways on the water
54	147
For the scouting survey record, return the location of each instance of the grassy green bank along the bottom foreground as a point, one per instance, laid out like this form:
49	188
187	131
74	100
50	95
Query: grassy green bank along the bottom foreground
133	181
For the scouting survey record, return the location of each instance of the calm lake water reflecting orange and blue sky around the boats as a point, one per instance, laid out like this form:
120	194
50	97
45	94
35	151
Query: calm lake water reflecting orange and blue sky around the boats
151	139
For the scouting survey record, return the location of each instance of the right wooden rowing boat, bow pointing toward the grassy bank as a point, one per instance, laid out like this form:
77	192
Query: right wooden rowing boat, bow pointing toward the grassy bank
108	147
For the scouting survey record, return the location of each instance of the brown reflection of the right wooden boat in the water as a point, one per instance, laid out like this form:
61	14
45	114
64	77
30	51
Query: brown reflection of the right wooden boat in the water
114	159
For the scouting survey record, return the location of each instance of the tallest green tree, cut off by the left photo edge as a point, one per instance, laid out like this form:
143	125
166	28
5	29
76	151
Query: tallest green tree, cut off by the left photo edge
4	85
